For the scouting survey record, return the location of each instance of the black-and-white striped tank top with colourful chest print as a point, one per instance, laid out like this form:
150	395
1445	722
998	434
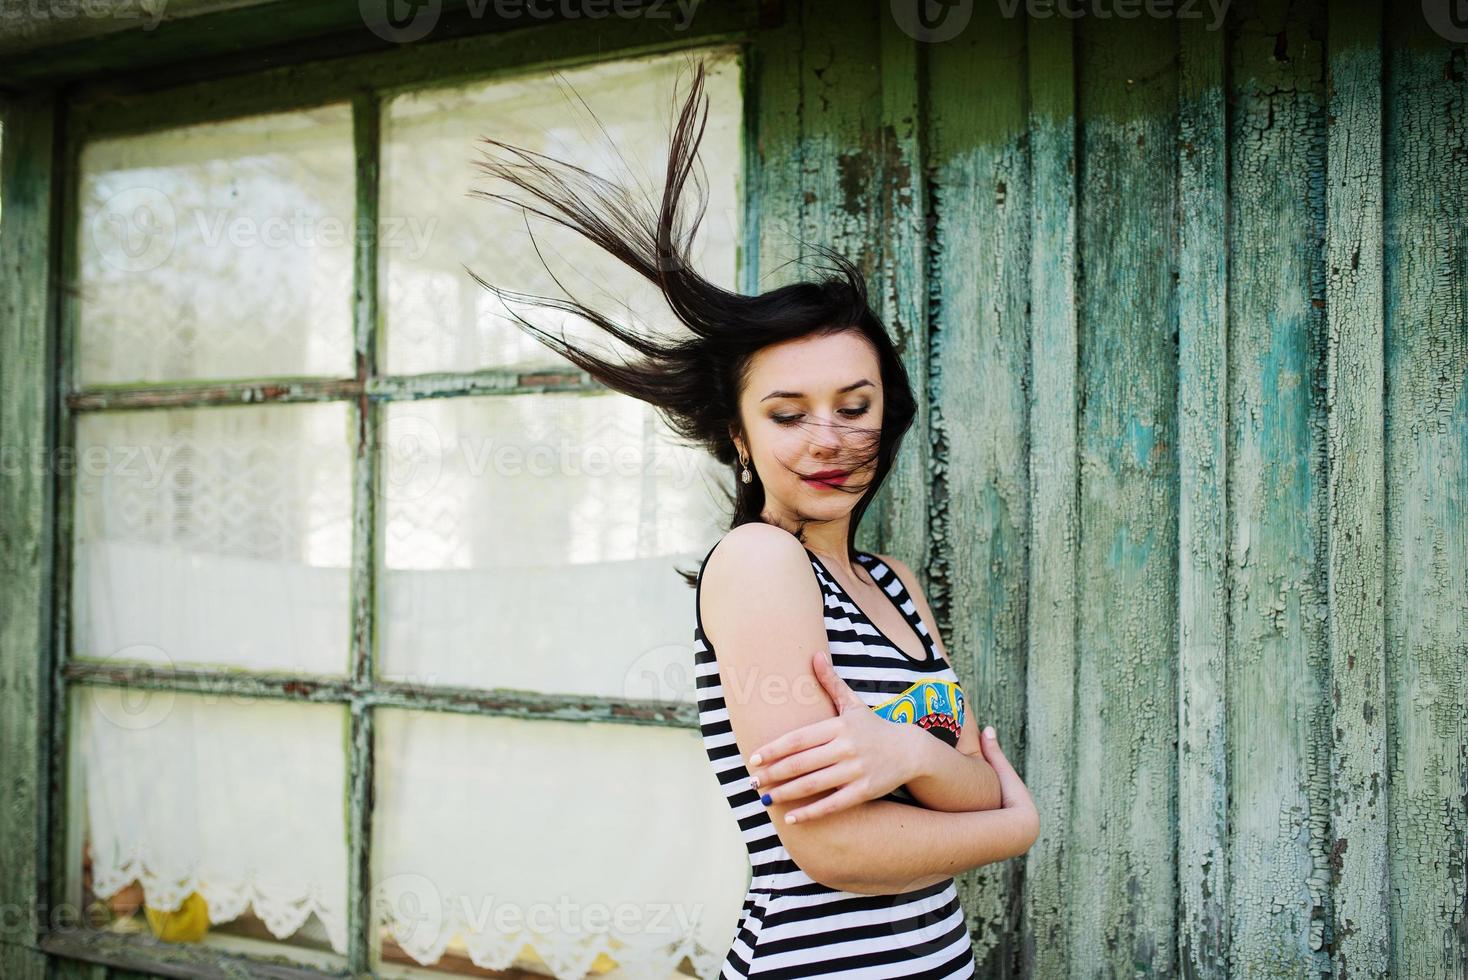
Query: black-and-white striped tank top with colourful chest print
791	925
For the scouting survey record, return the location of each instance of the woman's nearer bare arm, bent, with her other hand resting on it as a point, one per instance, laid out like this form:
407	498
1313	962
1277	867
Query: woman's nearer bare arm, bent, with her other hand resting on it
763	614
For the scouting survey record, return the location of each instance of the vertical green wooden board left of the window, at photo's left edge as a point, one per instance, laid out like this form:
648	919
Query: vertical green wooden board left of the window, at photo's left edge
27	407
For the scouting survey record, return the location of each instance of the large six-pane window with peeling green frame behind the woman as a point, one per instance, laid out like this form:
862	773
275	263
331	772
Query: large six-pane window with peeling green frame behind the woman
377	655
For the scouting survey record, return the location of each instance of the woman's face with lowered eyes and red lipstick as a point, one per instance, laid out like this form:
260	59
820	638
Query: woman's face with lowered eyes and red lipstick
813	416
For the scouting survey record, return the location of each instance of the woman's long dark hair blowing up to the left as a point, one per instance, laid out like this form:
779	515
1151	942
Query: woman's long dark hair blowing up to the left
695	381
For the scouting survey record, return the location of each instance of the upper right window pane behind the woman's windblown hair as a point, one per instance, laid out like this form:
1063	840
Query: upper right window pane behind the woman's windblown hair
437	318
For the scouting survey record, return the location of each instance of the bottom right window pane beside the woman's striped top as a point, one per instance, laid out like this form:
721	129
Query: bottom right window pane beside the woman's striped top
557	847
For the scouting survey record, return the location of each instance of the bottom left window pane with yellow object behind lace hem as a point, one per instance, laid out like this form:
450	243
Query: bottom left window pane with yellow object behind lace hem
212	821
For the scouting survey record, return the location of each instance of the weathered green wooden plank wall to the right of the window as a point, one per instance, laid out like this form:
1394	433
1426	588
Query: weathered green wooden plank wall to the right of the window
1191	315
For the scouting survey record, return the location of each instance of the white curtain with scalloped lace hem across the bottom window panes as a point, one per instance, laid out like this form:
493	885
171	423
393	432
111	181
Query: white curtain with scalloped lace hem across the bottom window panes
491	833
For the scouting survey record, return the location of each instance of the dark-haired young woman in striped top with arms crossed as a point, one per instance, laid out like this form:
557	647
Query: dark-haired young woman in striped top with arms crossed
829	708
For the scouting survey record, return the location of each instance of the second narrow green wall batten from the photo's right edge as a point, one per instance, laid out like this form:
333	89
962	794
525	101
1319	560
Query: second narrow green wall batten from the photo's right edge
1203	504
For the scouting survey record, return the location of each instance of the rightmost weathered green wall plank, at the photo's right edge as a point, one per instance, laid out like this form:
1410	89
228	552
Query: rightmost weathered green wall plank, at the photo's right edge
1426	260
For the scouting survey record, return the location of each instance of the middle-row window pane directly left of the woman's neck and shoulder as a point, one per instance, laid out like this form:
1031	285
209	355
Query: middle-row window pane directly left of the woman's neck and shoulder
532	544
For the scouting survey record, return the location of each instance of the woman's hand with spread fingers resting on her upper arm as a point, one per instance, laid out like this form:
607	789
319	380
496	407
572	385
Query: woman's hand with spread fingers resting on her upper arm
860	753
